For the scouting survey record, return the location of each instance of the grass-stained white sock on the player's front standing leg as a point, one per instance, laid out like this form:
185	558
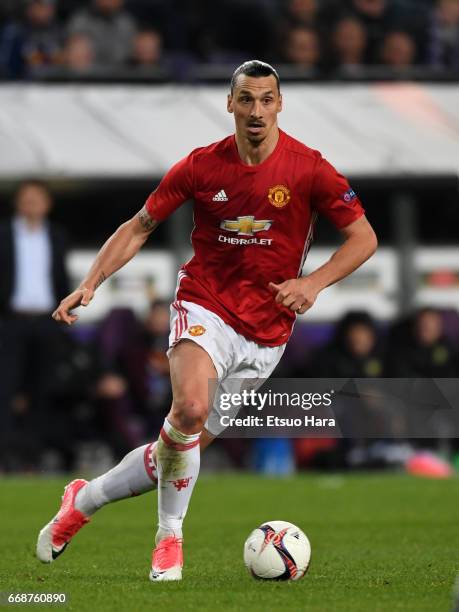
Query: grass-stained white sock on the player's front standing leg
178	459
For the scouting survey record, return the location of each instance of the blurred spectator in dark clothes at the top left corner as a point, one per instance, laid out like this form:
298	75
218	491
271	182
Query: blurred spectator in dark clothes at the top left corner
32	43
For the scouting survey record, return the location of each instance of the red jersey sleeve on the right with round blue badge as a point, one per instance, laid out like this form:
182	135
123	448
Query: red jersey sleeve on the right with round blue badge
333	197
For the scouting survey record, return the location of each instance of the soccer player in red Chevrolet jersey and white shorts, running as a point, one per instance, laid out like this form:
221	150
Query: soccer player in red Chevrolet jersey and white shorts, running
256	196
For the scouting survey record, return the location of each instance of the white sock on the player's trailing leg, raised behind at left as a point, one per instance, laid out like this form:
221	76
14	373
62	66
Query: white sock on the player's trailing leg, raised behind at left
134	475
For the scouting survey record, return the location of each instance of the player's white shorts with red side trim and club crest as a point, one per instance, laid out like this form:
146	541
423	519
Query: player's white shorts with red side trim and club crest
233	355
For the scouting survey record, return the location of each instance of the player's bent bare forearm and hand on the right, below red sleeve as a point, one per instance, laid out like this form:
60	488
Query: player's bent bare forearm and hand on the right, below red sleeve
359	245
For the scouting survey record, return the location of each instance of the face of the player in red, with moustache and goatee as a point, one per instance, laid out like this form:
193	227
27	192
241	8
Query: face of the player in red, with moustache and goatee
255	102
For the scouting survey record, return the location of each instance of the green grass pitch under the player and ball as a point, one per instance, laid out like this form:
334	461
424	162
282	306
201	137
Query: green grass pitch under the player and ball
379	543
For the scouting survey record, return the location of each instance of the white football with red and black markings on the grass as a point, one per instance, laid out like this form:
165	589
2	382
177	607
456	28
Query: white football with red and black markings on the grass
277	550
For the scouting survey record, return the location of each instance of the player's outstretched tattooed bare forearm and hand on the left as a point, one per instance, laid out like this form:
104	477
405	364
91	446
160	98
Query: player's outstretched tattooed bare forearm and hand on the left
115	253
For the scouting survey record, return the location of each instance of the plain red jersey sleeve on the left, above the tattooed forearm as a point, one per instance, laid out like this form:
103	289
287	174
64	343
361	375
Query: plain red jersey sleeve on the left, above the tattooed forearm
175	188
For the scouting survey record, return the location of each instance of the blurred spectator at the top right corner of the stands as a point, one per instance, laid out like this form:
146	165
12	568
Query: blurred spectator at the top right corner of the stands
443	36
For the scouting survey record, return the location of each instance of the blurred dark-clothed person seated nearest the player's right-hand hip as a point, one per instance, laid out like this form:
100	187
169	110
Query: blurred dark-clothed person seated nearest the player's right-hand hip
354	351
